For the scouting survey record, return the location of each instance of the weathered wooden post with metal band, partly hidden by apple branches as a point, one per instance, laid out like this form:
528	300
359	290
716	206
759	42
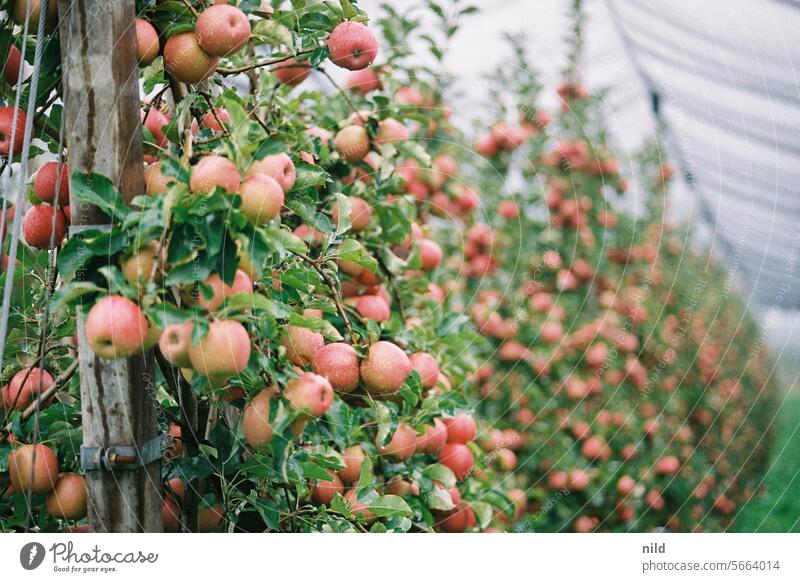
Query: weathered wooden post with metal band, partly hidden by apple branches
101	127
